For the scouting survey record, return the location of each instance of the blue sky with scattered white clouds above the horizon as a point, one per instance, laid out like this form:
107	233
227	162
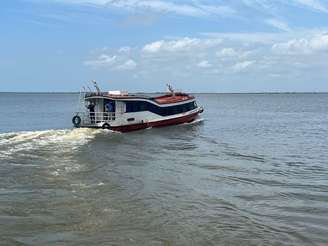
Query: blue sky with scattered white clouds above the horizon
141	45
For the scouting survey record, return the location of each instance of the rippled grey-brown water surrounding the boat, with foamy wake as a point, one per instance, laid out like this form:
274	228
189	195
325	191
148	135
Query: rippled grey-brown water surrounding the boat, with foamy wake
252	171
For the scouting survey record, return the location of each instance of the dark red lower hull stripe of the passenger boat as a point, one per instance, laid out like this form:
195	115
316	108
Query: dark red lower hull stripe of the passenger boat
174	121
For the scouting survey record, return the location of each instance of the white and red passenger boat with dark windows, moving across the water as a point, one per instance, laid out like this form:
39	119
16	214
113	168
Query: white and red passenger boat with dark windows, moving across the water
121	111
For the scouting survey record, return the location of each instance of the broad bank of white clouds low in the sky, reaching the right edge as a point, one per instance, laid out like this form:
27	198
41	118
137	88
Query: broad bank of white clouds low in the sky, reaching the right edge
224	57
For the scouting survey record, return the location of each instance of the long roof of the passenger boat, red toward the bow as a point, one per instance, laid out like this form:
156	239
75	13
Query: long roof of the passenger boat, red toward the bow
162	99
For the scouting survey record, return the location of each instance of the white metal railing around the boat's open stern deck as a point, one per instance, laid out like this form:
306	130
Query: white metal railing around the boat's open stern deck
92	118
